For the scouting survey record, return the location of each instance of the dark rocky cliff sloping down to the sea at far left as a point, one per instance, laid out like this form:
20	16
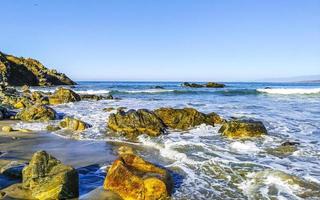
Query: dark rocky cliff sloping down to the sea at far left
16	71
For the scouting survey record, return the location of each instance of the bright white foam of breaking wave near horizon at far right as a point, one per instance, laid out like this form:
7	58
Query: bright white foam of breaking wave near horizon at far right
290	90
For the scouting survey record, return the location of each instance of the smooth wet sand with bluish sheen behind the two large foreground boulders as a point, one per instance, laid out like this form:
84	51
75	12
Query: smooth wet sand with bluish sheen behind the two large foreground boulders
86	156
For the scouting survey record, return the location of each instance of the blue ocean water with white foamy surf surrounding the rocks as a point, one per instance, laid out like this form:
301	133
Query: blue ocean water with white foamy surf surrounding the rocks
206	165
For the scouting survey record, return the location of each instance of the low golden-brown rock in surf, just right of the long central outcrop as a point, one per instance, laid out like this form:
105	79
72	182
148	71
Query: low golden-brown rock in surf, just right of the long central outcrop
243	129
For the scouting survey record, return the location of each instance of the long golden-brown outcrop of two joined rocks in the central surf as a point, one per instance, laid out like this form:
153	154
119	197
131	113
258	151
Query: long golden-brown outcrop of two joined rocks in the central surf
154	123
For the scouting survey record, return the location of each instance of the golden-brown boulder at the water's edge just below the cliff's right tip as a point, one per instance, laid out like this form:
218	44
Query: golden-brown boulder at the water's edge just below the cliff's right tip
63	95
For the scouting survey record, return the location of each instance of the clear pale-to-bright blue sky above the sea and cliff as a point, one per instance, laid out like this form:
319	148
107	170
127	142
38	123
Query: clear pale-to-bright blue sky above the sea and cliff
218	40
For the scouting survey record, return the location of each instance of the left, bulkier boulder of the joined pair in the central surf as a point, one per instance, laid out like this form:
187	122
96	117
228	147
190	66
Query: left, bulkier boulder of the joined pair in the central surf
136	122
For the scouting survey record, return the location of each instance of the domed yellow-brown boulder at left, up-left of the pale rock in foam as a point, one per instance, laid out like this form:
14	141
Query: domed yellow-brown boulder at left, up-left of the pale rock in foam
37	113
